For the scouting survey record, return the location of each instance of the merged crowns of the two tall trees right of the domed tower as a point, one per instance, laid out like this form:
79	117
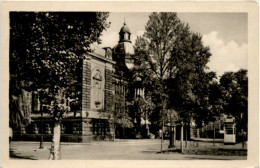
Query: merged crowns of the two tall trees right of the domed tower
171	61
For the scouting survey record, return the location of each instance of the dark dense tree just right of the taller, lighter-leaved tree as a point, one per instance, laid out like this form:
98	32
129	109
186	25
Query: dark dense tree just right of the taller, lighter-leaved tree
190	84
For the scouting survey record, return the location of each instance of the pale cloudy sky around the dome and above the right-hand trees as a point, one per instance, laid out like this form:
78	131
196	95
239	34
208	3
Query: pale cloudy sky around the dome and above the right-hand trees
226	35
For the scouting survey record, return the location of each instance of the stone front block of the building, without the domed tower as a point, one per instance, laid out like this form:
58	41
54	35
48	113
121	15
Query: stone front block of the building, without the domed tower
87	122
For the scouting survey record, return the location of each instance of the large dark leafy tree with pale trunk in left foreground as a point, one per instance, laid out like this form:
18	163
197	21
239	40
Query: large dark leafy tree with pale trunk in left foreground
45	50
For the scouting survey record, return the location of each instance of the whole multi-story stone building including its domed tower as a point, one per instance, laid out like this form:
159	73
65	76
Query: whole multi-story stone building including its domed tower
101	76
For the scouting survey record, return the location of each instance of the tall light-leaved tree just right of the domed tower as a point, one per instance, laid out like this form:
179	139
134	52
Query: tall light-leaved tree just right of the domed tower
153	54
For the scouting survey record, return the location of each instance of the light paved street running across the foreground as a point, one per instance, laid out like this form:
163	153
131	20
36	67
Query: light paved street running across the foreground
108	150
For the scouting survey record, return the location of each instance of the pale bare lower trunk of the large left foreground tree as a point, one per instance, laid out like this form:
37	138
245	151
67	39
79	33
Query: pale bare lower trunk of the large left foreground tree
55	145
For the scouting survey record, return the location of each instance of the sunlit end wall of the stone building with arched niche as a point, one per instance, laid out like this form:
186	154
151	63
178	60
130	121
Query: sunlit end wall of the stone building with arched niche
97	92
